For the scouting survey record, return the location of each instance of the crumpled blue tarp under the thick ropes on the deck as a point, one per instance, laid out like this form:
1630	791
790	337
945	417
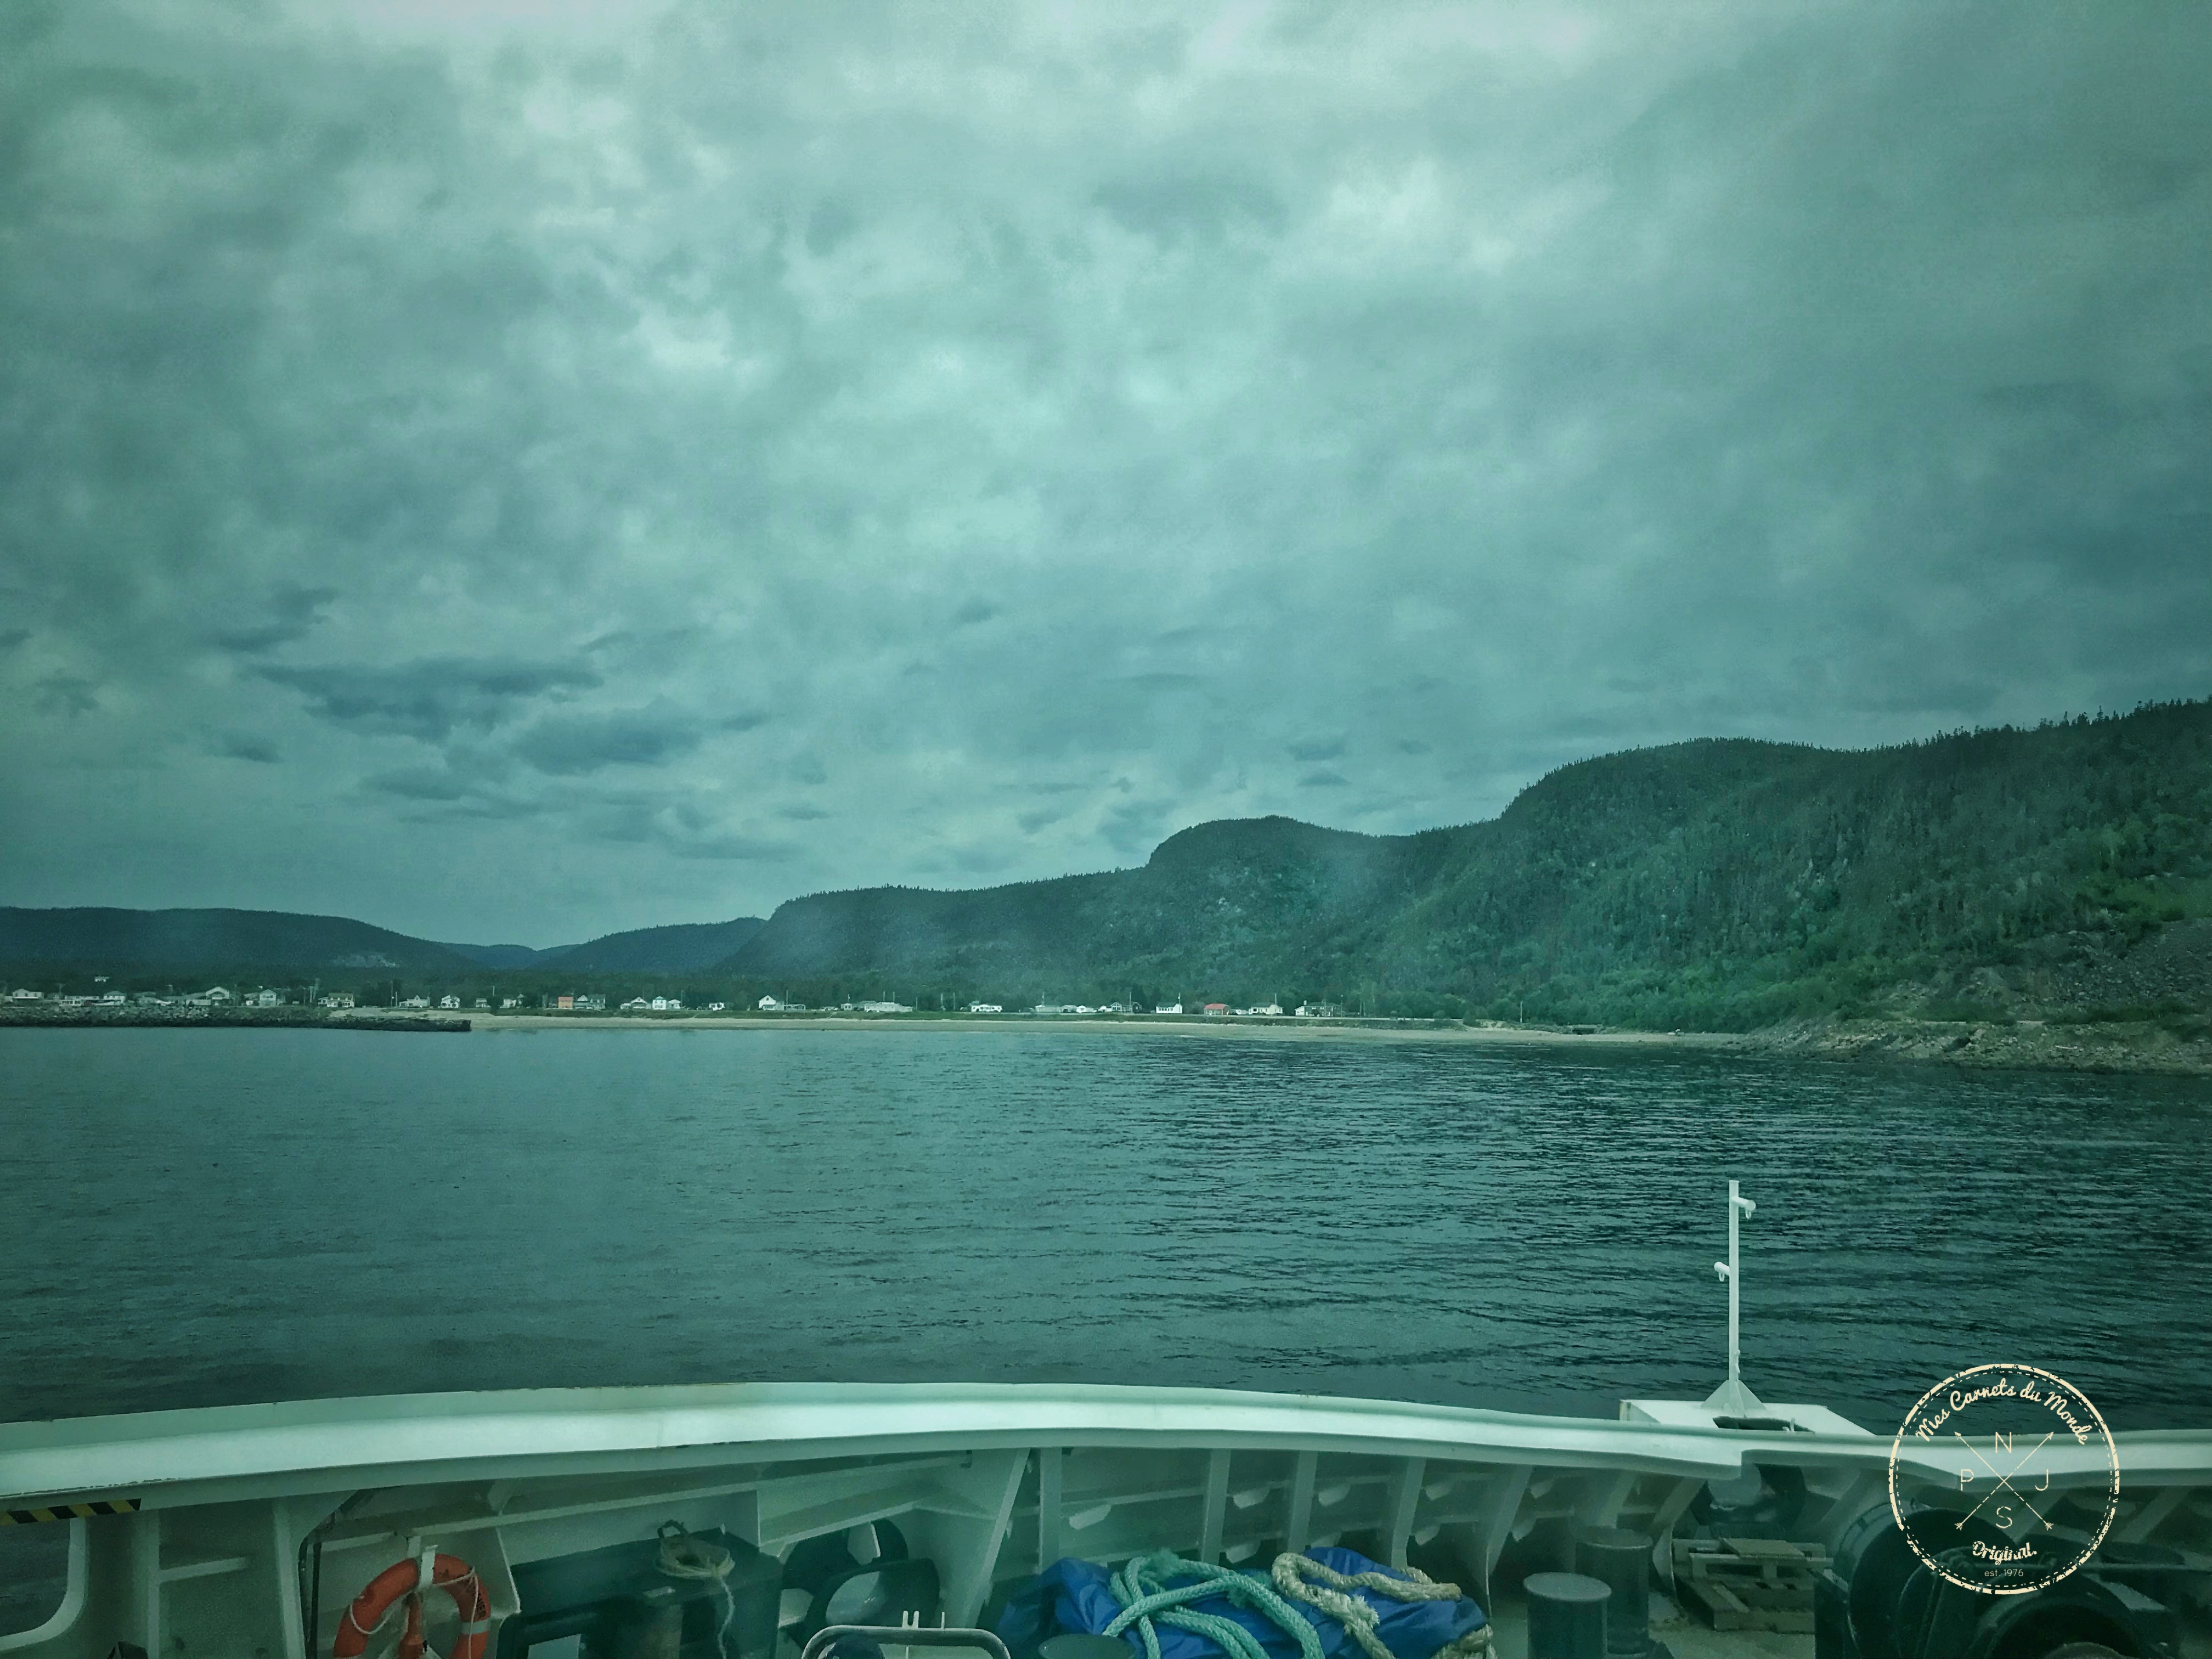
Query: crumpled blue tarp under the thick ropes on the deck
1078	1596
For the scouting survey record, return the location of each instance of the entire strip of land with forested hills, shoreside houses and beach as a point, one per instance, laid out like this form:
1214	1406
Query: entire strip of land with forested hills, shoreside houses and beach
2007	881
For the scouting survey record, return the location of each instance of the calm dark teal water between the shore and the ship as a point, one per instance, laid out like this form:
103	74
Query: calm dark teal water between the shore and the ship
244	1215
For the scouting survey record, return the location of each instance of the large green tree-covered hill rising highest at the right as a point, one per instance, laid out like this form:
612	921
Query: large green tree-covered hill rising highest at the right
1715	884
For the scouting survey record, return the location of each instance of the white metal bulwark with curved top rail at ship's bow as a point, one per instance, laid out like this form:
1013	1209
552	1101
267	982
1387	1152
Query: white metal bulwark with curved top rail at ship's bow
990	1481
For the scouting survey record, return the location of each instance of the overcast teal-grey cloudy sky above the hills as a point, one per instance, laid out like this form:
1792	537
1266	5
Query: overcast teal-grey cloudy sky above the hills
530	470
